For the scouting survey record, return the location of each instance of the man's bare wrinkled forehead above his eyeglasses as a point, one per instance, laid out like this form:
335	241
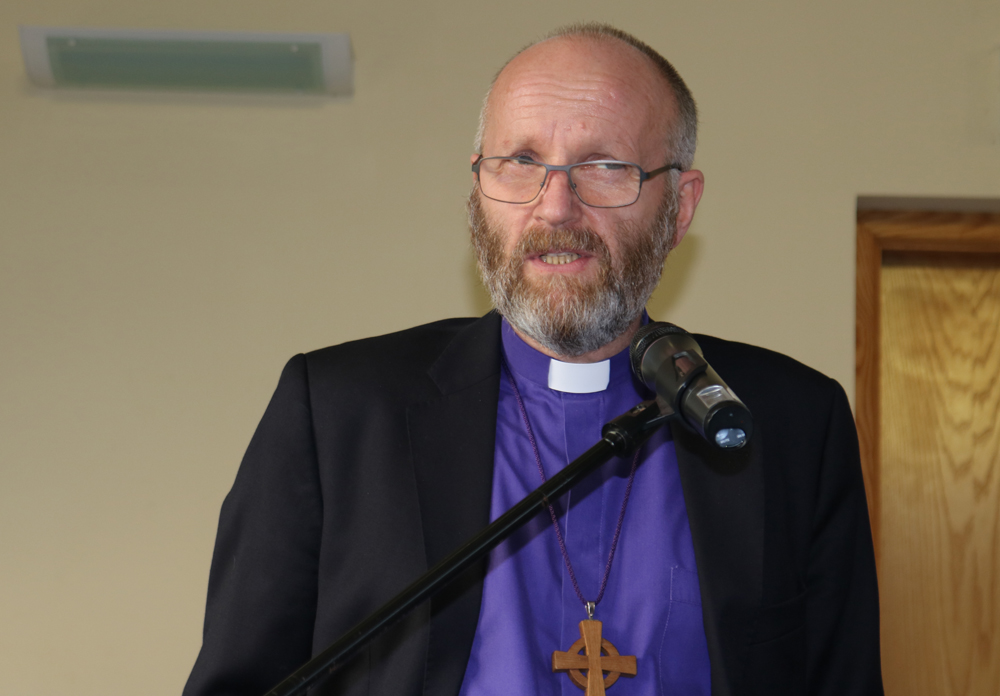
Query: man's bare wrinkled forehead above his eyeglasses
576	94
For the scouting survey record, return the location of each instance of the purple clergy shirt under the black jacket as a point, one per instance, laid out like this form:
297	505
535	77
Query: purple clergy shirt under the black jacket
652	606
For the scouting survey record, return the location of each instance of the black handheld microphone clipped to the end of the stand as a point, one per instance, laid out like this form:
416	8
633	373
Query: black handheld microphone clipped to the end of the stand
668	360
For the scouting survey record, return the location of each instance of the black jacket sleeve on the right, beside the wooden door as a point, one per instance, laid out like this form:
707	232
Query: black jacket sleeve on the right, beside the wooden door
842	594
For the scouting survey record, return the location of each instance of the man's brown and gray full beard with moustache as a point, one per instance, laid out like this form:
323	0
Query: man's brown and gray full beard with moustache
567	315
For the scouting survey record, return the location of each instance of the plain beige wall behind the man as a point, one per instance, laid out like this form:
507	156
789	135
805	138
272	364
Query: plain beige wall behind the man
161	257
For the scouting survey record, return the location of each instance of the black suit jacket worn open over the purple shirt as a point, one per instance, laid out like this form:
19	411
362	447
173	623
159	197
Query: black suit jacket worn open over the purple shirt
374	460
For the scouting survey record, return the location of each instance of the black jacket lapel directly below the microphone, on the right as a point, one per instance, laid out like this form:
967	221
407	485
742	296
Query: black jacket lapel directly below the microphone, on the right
724	495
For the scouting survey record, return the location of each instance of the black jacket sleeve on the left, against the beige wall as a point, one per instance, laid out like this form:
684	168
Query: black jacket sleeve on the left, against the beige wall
263	582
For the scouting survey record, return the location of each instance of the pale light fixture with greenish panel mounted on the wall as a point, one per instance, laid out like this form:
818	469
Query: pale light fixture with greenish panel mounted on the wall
142	59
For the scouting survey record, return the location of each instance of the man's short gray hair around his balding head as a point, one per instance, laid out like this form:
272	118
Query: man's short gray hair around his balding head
682	137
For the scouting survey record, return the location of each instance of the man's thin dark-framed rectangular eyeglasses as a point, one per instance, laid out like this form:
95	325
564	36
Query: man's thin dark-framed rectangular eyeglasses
599	184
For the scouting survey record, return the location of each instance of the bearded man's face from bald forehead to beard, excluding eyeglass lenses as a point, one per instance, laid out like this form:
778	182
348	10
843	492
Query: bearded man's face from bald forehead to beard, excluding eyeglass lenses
569	276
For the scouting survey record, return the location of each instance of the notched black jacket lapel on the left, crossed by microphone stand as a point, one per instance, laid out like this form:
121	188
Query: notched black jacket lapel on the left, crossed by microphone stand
452	442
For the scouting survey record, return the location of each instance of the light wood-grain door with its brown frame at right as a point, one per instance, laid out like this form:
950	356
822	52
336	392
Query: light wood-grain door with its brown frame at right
928	409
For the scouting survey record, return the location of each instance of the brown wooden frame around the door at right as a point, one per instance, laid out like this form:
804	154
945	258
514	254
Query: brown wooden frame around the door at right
955	225
